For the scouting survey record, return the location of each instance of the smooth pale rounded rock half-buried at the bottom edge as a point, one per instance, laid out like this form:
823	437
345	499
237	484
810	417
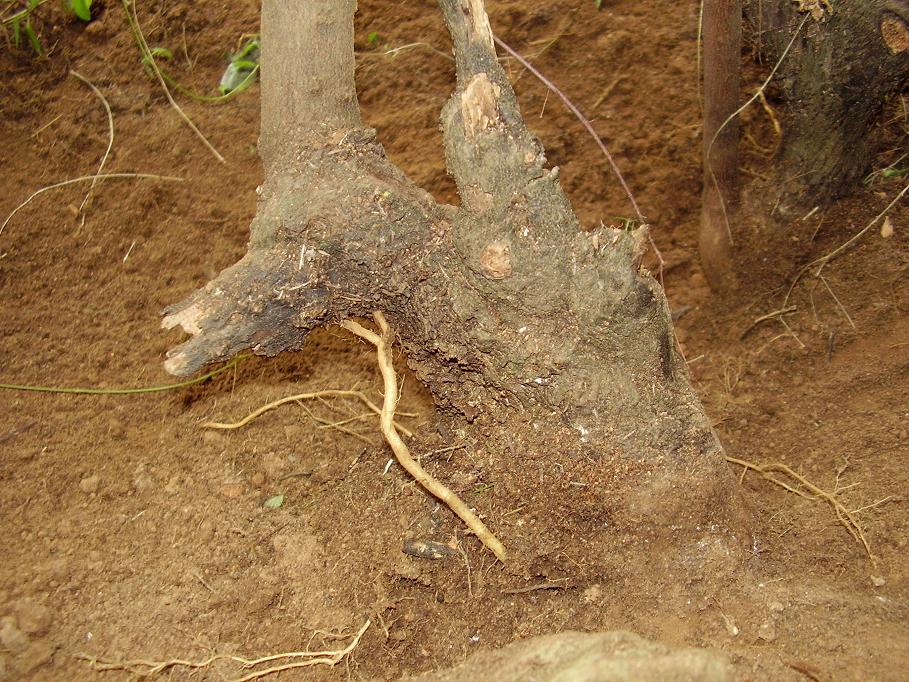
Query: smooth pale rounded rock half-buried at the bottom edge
588	657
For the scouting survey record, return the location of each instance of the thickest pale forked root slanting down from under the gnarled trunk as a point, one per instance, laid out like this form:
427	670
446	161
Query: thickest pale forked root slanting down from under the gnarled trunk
402	453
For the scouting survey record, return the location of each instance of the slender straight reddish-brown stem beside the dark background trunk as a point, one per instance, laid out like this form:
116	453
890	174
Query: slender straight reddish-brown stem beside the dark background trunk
722	75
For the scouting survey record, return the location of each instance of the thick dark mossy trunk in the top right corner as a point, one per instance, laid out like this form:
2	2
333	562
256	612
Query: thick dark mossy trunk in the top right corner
848	59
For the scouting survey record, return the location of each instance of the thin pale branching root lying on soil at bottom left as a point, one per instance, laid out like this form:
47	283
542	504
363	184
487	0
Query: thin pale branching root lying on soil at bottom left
298	659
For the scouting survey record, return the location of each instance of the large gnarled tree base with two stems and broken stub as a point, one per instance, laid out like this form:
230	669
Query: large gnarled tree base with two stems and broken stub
542	344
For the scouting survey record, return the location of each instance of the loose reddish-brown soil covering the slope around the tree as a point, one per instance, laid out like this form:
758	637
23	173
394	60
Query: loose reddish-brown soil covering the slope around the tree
130	532
